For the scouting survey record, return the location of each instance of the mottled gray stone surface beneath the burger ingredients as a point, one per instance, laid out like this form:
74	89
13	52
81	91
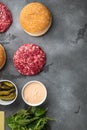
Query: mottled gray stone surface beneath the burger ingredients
65	73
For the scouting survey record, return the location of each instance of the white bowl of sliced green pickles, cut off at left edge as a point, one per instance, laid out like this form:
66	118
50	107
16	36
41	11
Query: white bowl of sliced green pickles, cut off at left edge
8	92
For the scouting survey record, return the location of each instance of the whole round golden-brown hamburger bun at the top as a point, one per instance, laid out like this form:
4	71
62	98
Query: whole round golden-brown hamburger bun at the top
35	19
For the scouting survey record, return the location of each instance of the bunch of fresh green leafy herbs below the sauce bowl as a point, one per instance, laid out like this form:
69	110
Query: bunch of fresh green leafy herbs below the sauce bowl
32	119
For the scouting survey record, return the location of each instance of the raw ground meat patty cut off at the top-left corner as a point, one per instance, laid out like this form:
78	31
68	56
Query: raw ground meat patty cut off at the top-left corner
5	18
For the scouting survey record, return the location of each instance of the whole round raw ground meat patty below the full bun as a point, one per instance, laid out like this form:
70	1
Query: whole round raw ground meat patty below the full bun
29	59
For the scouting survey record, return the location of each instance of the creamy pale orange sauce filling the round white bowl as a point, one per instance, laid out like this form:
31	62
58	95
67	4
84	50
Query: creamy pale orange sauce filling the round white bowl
34	93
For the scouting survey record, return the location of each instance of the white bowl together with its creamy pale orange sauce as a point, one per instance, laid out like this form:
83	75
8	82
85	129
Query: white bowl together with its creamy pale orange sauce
34	93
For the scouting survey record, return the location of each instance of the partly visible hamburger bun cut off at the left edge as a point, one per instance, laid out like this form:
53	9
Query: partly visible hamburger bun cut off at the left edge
2	56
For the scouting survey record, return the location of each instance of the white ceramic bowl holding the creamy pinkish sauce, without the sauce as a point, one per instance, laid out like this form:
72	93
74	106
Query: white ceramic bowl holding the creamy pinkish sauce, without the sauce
34	104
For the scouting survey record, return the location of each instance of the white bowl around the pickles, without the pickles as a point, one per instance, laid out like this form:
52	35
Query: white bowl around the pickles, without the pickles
2	102
